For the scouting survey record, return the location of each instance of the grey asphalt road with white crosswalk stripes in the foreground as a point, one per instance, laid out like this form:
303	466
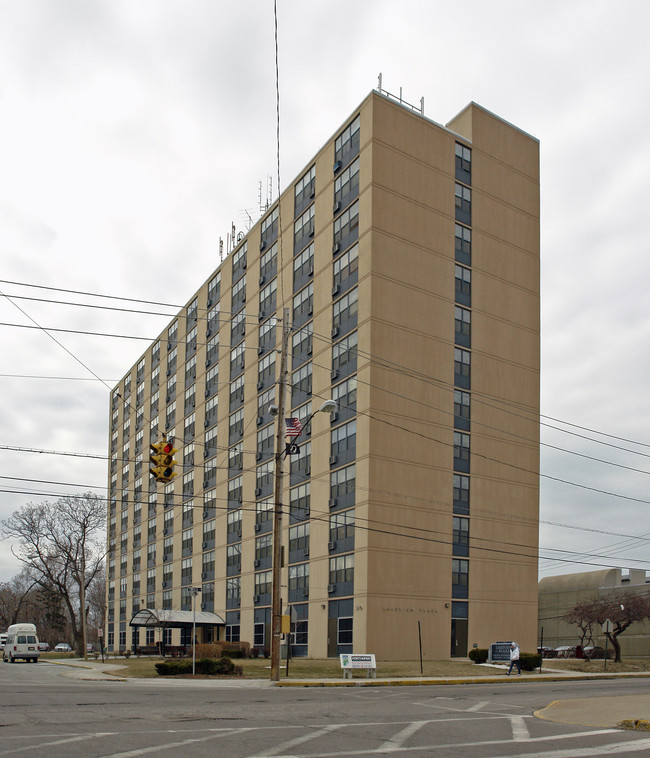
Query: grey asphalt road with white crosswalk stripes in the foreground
46	714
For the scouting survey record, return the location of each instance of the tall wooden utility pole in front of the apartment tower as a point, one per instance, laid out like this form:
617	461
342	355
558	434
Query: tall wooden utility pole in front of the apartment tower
276	610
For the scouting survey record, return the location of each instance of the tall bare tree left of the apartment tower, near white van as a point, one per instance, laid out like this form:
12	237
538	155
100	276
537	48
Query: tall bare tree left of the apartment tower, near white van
62	544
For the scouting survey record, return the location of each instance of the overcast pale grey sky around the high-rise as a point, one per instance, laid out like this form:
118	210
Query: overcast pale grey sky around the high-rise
134	132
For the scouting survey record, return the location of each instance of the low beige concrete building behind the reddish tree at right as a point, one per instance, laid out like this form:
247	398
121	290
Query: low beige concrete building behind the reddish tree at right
560	594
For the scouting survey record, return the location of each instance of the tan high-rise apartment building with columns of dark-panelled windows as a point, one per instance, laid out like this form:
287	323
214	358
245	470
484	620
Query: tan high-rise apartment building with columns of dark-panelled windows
407	256
